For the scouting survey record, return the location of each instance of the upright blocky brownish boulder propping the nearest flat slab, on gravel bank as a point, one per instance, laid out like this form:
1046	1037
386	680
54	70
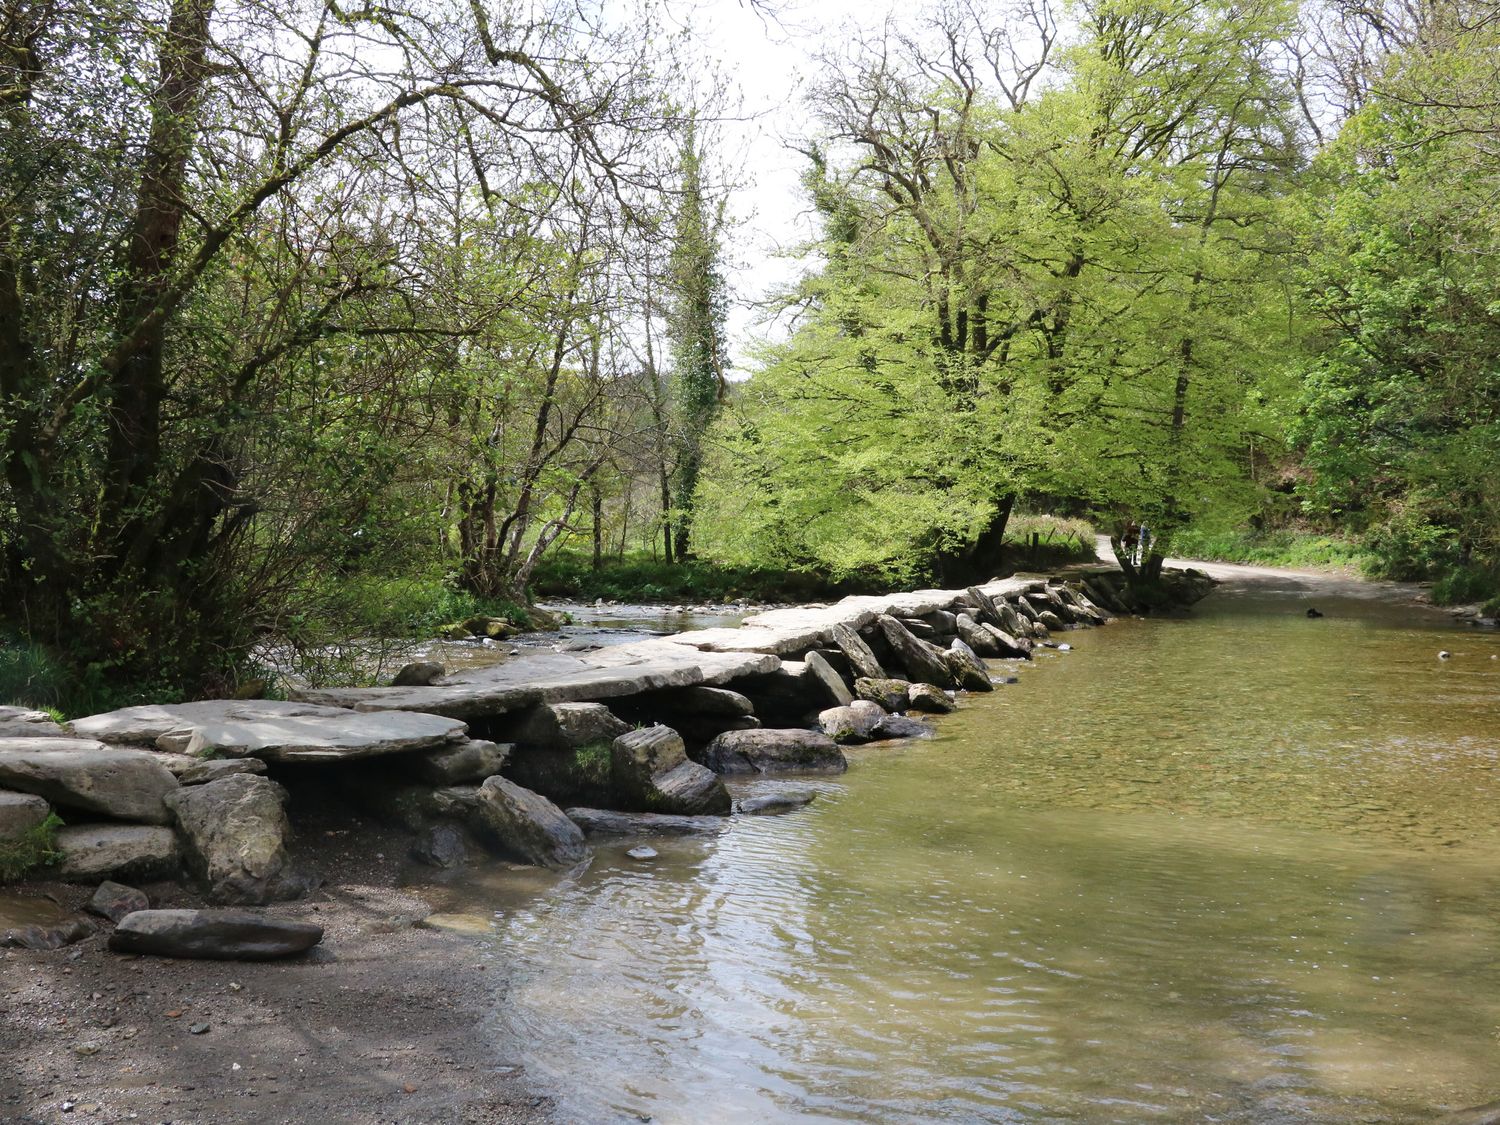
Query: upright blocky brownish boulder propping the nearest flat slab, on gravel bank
236	833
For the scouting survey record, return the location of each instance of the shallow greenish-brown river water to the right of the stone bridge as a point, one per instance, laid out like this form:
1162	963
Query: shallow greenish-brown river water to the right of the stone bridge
1241	868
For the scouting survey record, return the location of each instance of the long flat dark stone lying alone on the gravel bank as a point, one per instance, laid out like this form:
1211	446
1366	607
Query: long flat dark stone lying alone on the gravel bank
215	935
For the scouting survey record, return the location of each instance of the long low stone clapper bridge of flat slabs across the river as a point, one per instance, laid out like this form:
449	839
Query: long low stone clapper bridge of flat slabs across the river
629	739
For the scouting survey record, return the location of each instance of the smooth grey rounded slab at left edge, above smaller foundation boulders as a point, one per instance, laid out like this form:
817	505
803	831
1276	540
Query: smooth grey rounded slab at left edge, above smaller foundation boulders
80	773
